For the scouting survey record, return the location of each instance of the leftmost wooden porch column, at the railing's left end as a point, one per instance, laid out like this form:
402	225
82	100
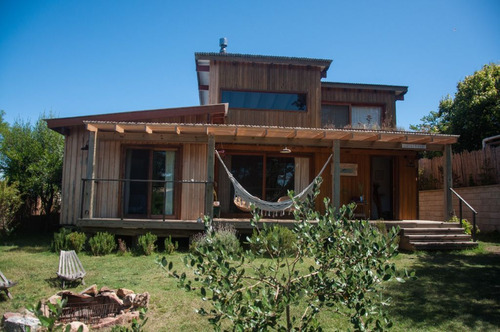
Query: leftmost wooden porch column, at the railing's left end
88	198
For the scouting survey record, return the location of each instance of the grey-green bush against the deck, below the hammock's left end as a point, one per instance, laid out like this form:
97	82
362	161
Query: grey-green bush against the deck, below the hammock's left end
224	236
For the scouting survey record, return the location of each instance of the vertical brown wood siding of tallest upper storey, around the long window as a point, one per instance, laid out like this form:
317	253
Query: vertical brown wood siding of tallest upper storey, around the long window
271	78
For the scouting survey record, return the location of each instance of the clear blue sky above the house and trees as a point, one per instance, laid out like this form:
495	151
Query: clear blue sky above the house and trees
75	58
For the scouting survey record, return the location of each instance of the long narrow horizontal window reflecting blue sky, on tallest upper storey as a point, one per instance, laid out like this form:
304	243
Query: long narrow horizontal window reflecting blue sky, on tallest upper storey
265	100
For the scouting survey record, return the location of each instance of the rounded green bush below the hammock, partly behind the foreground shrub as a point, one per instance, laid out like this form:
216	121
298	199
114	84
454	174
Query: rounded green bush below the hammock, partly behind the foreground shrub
274	240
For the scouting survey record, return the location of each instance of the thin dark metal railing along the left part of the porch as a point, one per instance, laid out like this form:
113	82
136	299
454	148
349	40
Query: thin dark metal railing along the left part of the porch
123	183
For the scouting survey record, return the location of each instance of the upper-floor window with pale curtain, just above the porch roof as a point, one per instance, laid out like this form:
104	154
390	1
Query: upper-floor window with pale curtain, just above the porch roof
342	116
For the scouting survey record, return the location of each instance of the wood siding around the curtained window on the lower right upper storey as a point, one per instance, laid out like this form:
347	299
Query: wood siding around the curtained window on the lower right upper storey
360	97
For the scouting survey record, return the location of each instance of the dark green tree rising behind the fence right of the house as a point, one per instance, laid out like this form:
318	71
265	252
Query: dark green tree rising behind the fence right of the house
474	113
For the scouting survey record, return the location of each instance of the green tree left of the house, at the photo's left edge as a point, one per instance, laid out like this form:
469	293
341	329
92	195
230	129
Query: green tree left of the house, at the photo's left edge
31	156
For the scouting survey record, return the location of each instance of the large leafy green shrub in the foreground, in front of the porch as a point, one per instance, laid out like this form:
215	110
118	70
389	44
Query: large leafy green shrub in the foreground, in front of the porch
336	264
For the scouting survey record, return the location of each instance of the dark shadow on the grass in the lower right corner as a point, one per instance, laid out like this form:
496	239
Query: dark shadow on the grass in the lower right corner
452	288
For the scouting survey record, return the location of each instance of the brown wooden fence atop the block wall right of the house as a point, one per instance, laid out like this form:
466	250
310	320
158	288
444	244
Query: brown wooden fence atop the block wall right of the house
469	169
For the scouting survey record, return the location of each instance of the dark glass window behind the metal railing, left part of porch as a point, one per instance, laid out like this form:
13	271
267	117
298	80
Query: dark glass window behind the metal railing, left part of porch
150	192
